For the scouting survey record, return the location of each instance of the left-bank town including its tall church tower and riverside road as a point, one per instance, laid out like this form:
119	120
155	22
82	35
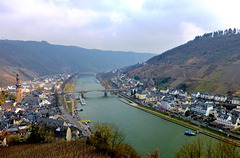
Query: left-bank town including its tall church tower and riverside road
30	107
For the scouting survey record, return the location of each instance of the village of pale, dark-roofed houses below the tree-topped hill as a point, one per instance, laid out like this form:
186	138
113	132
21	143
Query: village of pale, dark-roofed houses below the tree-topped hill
218	111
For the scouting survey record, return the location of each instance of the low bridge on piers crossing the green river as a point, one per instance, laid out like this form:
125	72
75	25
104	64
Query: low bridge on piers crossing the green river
82	92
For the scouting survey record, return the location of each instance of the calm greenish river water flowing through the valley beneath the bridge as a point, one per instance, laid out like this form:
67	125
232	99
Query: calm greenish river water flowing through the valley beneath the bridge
144	131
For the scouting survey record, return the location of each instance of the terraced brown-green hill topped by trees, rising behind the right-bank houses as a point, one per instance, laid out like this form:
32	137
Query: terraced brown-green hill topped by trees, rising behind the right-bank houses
208	63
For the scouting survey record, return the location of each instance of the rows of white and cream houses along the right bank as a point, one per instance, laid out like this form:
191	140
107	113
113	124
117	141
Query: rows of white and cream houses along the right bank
179	102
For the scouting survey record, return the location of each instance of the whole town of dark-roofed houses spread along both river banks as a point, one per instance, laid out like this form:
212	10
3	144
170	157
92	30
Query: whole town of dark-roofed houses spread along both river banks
41	104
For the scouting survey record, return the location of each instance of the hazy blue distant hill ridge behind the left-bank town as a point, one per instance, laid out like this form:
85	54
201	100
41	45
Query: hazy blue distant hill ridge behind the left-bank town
31	58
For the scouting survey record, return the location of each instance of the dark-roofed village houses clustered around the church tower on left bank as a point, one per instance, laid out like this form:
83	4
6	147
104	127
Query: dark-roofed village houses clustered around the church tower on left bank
39	108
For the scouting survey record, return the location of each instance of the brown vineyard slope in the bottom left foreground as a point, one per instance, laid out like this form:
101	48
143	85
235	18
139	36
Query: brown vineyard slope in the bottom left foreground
64	149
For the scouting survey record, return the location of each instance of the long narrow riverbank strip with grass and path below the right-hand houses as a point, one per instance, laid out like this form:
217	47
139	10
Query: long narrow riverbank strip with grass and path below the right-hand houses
185	124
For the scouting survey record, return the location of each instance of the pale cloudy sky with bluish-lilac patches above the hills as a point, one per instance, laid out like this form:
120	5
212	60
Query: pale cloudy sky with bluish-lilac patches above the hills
151	26
